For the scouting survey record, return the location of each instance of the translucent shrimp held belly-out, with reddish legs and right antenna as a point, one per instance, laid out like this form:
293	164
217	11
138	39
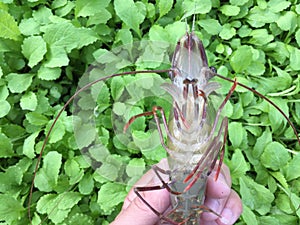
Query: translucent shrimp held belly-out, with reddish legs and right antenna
196	133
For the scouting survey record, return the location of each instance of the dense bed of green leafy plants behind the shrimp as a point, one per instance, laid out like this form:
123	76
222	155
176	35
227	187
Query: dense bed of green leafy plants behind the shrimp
46	46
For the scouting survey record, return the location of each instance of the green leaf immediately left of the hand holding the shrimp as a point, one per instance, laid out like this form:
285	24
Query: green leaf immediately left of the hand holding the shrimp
110	195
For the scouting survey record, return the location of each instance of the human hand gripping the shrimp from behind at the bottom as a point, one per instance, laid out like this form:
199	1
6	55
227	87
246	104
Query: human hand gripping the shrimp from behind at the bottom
219	198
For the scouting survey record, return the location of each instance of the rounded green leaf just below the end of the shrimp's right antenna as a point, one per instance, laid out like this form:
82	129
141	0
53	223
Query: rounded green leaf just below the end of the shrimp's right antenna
275	156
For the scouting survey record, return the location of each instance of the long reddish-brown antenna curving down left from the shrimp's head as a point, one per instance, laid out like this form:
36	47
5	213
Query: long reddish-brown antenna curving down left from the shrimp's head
62	110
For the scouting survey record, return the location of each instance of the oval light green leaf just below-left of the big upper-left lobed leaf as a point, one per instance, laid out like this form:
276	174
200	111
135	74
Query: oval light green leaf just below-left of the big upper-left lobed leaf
34	48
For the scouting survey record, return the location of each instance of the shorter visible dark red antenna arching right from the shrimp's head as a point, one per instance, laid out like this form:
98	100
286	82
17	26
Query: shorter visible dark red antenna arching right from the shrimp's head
265	98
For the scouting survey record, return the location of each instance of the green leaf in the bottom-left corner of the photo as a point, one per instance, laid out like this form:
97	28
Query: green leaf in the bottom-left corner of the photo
11	209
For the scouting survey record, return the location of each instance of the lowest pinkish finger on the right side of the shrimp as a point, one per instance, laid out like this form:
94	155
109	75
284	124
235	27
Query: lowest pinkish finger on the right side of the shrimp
232	210
